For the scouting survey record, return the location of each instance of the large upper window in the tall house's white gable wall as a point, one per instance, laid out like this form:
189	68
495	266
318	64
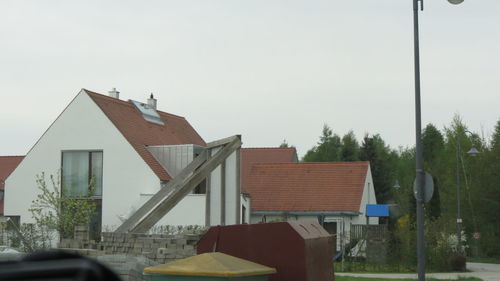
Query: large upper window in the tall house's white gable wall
82	170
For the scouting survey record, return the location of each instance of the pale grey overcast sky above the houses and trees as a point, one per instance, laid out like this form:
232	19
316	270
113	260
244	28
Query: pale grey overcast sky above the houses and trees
269	70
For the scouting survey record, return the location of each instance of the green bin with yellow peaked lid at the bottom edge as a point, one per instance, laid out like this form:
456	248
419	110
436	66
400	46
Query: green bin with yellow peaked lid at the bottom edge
209	267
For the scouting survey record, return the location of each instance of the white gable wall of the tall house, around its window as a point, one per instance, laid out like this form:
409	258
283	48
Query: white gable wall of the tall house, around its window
83	126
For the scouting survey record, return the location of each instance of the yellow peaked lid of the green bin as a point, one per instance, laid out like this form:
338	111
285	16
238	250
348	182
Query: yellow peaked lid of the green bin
211	264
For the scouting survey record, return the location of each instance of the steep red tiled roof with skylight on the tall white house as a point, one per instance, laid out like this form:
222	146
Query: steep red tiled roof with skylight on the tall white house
141	133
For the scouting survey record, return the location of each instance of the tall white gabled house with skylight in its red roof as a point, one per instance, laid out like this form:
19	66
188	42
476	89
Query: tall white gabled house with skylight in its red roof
130	150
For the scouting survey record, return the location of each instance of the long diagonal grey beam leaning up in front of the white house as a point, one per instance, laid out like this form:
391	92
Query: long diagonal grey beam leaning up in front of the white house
166	199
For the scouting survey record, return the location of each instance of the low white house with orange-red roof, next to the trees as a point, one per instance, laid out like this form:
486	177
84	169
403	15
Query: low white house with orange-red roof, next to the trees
333	193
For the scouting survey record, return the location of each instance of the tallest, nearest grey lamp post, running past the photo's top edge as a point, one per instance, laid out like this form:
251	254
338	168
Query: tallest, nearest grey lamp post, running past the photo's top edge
418	146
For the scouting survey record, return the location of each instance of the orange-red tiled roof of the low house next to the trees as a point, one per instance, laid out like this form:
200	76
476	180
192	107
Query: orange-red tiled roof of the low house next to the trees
326	186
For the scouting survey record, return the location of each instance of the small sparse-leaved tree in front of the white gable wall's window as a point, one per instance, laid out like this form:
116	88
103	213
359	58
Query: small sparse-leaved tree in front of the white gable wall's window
56	212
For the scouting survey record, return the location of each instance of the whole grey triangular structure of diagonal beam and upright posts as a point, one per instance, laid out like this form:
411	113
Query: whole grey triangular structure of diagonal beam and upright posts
219	164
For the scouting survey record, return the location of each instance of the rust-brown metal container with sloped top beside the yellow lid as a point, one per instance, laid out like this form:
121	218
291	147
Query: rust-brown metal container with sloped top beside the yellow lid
299	250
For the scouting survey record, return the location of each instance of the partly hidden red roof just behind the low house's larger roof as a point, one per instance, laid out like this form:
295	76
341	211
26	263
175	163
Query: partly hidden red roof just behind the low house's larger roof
250	156
